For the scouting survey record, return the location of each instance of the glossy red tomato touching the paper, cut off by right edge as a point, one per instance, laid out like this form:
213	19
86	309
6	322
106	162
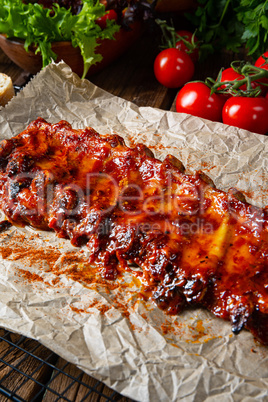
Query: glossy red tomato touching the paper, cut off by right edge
247	113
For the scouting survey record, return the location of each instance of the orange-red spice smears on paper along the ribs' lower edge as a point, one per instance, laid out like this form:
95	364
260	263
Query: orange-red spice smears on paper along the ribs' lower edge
124	296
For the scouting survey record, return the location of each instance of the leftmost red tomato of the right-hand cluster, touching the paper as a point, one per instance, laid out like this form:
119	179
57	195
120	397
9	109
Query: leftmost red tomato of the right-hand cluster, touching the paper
195	99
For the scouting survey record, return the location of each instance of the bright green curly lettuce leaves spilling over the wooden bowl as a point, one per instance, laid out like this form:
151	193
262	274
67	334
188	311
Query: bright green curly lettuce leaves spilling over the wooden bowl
40	26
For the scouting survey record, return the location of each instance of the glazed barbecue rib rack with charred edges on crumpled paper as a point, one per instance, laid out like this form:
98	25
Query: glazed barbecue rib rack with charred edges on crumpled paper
195	245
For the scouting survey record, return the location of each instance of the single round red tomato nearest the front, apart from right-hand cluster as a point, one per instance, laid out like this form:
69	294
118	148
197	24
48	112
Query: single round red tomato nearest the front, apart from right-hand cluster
173	68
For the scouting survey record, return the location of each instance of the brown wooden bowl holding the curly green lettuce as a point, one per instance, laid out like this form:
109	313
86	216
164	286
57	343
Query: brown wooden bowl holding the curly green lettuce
109	49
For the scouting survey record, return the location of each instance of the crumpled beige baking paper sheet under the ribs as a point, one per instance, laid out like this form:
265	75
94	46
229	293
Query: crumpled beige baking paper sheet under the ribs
110	332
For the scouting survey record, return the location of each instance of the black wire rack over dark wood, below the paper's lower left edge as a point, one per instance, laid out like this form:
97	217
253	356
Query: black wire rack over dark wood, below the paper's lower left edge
31	372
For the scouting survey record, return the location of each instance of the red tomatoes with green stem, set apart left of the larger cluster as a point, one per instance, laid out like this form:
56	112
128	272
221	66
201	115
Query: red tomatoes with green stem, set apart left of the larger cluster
174	66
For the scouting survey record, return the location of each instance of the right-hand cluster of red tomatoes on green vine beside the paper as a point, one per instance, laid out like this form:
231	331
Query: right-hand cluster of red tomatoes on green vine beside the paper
239	97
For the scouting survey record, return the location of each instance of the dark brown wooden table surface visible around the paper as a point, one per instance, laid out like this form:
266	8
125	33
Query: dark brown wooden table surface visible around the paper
130	77
